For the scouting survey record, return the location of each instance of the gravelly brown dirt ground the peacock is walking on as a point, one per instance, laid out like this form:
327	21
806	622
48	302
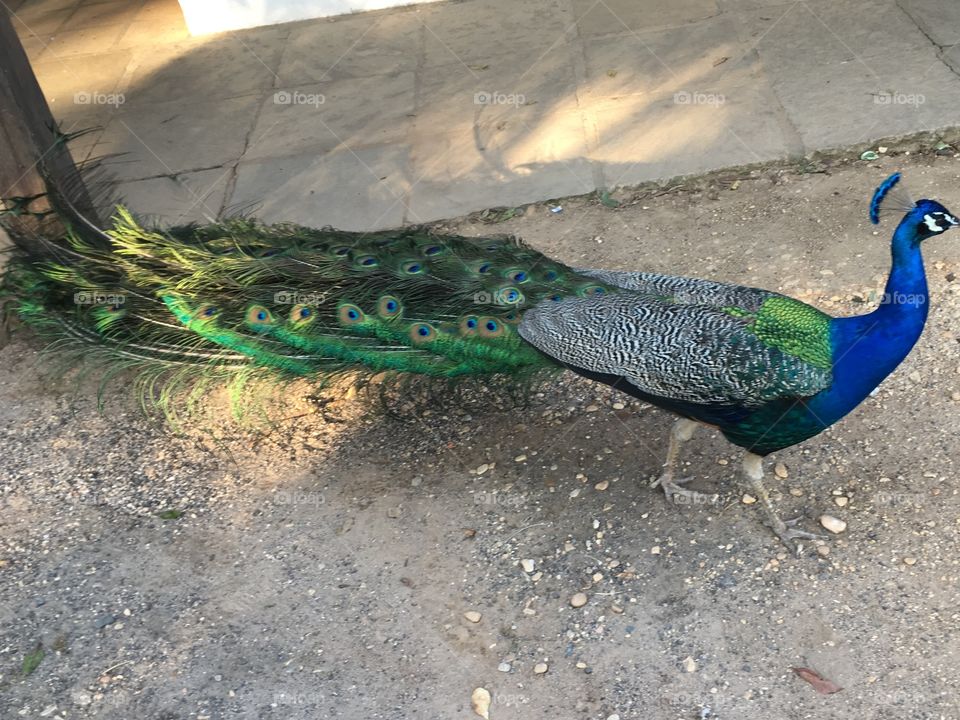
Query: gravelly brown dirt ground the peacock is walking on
322	569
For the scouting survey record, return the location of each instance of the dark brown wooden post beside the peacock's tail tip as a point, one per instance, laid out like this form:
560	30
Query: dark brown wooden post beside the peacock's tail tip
30	148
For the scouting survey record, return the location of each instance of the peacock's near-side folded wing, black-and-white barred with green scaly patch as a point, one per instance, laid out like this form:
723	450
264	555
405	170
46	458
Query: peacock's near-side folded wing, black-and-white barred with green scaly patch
690	353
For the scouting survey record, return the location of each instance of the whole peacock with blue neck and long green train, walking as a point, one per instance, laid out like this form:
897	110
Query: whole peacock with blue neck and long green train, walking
238	299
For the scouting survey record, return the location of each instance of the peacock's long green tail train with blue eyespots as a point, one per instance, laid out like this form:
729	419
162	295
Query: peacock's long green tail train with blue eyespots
239	299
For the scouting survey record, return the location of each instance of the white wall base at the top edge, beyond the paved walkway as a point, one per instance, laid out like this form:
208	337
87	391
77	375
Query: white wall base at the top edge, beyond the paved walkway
207	16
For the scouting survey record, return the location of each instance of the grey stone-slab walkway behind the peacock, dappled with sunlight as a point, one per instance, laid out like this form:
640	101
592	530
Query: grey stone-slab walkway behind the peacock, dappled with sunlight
410	115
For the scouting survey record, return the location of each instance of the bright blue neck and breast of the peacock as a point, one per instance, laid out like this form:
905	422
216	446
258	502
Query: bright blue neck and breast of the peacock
867	348
